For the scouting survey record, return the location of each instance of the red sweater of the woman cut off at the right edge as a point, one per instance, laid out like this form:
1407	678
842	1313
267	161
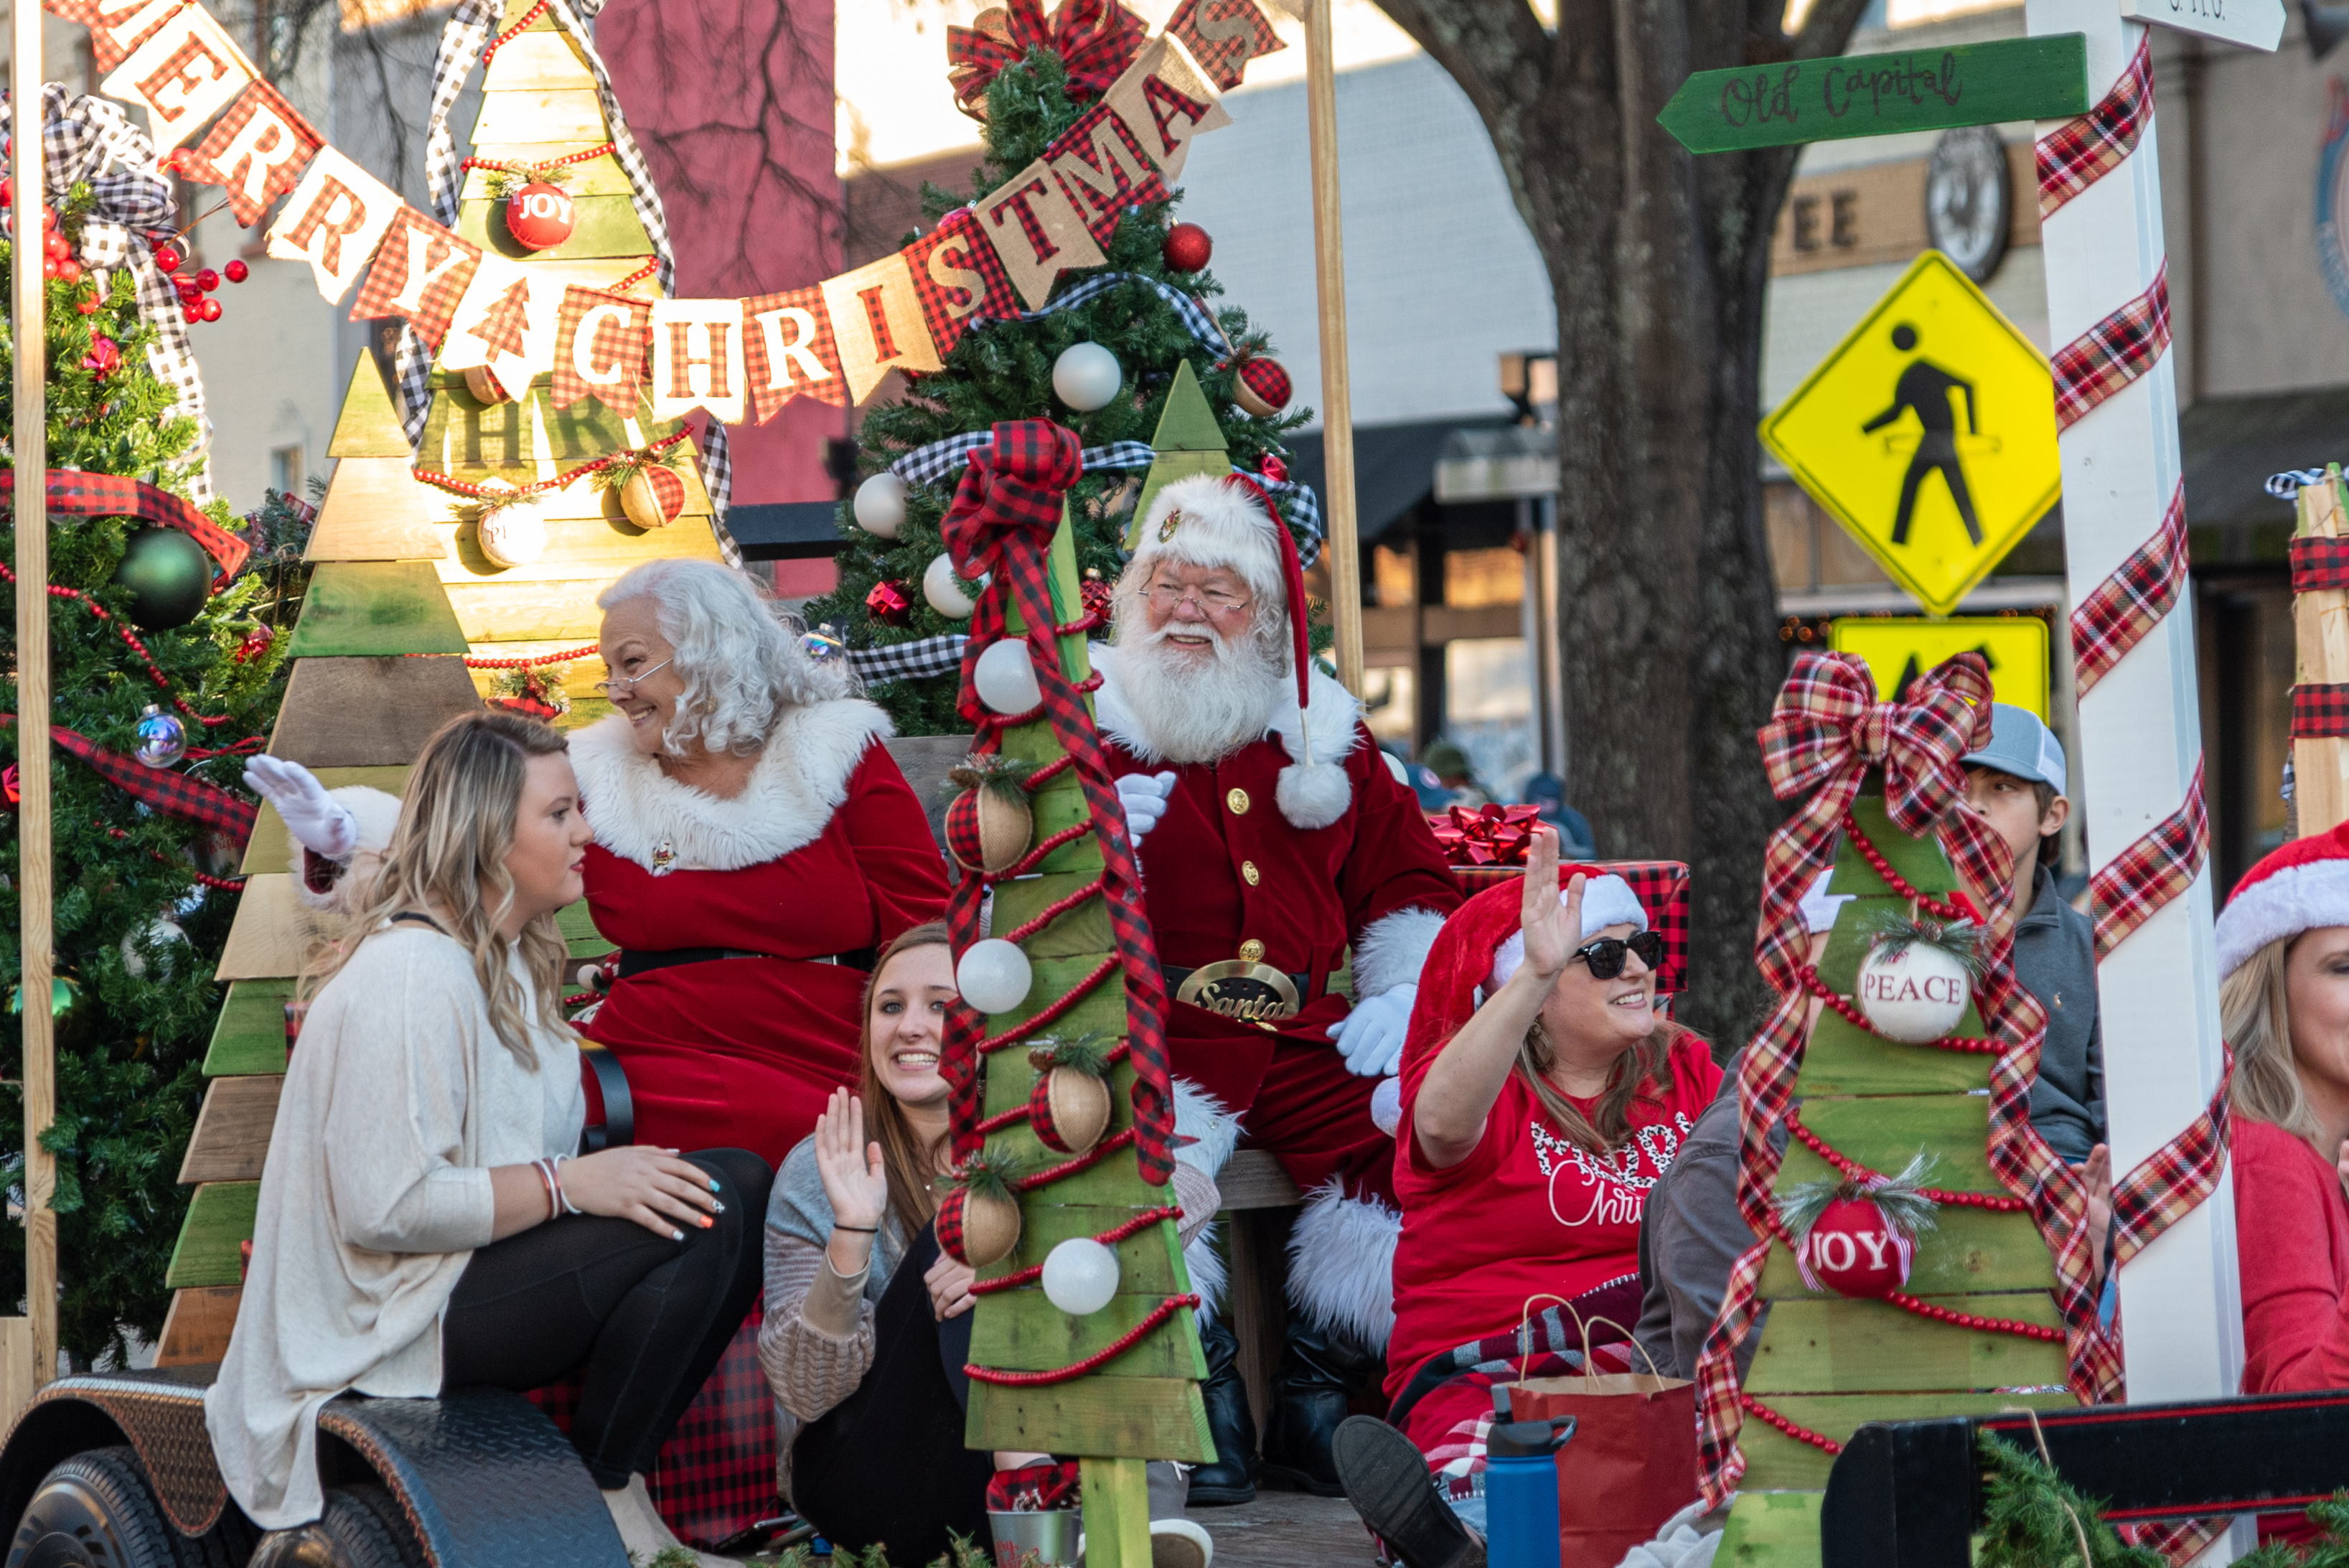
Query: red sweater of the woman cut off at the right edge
2289	1224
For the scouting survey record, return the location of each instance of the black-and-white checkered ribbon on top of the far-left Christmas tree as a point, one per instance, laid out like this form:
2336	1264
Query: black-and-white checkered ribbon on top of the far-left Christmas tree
93	142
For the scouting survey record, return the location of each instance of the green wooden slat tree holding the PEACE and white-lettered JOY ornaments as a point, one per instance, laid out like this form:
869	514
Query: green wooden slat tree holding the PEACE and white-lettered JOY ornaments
1829	1365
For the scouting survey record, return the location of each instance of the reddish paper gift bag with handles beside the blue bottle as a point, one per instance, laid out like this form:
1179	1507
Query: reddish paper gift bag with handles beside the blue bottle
1634	1457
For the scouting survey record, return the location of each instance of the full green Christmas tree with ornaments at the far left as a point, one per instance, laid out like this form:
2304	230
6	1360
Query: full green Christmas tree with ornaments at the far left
166	675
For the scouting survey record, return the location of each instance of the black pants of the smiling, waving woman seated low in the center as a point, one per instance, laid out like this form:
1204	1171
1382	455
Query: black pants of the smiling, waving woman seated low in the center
889	1466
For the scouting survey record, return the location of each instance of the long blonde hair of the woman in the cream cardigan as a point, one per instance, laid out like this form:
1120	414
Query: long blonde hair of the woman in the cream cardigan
447	860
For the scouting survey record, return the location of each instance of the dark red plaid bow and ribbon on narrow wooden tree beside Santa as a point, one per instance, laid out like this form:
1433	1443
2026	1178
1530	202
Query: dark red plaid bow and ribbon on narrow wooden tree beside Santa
1002	522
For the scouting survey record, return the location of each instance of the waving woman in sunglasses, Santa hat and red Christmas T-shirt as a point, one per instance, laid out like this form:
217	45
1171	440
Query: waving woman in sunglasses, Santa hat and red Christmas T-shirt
1542	1100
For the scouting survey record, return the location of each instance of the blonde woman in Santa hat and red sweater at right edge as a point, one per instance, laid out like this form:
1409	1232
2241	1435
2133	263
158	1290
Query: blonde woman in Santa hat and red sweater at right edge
2284	1008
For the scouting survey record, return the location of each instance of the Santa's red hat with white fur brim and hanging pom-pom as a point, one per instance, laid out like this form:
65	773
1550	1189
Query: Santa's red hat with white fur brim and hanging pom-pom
1232	522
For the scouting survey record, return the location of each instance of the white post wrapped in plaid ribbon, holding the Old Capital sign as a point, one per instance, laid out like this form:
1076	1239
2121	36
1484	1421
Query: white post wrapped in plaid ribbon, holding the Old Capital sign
2141	734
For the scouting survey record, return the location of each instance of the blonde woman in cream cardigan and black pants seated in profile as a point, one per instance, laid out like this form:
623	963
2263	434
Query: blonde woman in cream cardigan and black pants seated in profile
424	1224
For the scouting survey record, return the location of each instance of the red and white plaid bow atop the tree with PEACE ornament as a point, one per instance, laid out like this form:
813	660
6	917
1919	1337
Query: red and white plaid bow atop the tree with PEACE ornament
1824	736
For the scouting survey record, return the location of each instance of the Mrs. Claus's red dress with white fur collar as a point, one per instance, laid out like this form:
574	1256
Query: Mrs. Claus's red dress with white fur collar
819	863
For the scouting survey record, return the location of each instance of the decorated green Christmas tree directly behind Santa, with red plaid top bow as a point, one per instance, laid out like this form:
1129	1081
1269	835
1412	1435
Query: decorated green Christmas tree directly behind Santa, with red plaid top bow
1136	306
